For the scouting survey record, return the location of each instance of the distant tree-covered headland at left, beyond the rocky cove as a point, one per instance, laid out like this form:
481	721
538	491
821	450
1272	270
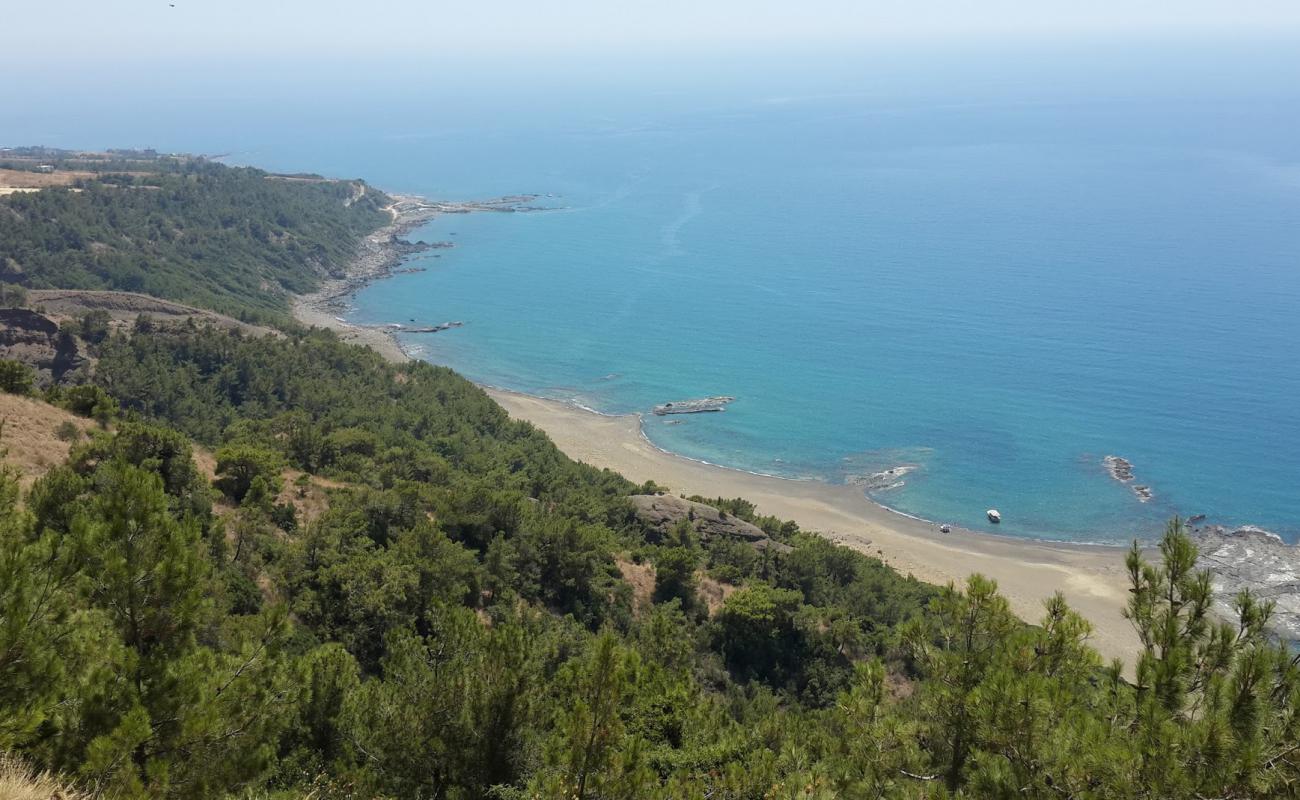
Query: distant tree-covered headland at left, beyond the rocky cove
233	240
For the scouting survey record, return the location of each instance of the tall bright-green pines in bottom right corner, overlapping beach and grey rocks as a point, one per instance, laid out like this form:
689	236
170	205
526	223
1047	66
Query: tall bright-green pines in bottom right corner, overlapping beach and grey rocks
1217	704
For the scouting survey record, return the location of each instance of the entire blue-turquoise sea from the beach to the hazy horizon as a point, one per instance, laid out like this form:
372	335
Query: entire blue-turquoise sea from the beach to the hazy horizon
982	271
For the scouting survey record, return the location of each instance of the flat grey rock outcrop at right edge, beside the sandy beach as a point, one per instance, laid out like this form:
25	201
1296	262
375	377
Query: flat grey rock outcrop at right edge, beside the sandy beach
1253	559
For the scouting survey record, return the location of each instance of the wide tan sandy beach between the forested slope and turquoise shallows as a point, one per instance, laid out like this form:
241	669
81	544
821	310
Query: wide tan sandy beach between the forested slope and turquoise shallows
1093	578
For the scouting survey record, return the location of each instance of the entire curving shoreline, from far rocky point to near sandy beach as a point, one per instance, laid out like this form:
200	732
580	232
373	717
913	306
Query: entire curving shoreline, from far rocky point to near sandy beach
1093	577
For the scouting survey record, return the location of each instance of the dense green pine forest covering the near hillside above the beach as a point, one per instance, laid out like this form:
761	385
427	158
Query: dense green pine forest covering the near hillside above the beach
457	624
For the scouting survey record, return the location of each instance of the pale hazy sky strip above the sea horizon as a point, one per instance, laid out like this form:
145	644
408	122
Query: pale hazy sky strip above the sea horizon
73	31
